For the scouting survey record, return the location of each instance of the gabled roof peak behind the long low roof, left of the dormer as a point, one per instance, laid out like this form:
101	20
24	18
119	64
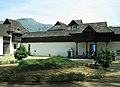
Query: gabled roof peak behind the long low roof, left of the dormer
58	26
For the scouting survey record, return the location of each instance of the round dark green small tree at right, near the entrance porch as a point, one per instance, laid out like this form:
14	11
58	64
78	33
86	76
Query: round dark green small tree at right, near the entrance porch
104	58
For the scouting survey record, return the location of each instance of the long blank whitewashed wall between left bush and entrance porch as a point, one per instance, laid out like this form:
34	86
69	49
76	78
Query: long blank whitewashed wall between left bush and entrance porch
51	48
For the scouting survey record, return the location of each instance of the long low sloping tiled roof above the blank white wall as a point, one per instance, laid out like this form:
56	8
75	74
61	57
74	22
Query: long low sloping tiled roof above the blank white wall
46	34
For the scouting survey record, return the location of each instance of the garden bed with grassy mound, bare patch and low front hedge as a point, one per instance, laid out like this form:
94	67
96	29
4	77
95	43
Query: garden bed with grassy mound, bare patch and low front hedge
39	70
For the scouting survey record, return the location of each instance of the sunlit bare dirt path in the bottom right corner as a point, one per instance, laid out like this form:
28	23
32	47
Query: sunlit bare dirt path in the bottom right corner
112	78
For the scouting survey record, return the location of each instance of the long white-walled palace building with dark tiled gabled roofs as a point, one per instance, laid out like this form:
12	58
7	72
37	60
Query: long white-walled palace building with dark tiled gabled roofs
78	37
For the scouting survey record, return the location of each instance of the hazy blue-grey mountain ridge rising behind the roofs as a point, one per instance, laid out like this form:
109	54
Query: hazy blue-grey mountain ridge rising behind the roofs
32	25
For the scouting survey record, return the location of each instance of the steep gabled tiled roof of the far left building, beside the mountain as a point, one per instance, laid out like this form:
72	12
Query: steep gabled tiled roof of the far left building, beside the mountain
15	25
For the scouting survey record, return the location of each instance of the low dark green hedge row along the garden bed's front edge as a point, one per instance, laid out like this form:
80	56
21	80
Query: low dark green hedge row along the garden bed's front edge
41	77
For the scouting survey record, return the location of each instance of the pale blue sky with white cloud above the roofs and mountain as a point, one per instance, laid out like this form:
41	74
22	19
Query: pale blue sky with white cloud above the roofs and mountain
51	11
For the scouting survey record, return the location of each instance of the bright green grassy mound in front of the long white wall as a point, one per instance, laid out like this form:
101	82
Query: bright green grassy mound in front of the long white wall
46	64
